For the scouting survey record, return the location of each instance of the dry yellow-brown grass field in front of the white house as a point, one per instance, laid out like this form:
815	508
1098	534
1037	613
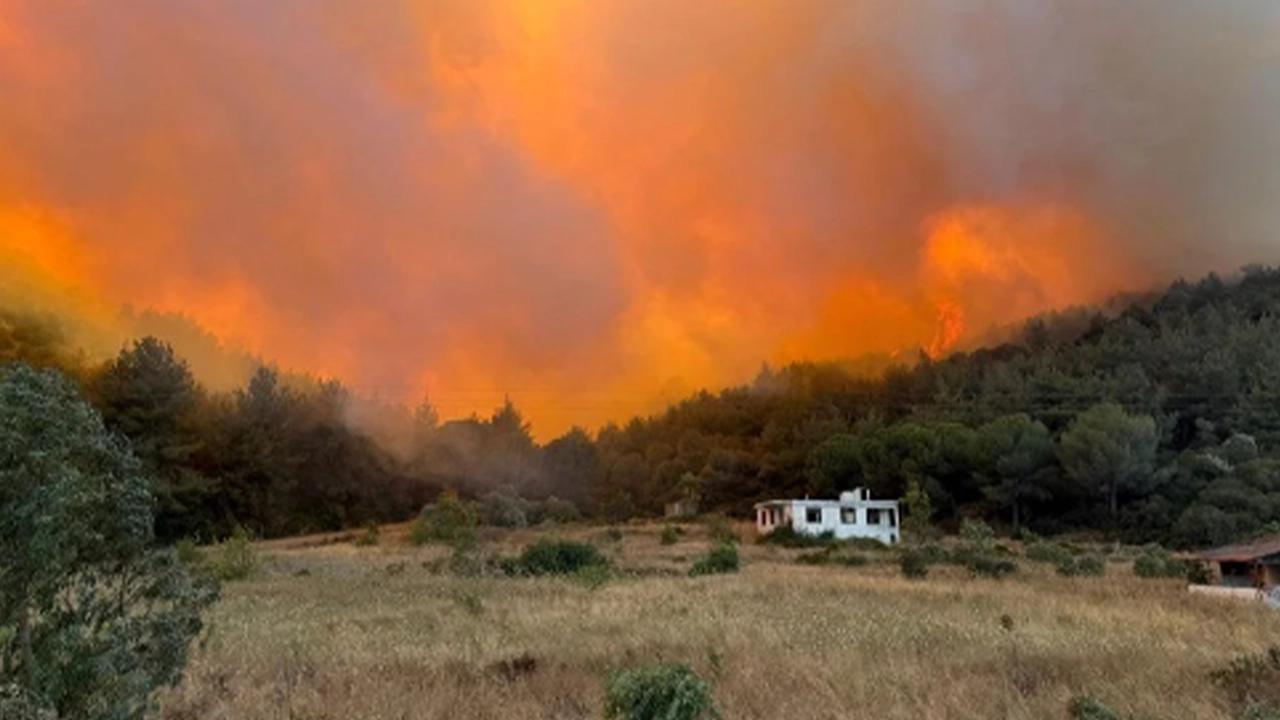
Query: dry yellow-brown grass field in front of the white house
340	632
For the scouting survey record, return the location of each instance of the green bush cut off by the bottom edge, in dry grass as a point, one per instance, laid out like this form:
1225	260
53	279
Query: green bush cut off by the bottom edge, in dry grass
660	692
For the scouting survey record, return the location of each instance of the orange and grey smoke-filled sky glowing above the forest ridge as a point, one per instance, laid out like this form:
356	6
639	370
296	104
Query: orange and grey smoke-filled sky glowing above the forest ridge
598	207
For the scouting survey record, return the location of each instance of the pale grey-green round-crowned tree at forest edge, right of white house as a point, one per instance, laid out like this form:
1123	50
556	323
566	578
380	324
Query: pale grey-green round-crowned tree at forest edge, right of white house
1110	450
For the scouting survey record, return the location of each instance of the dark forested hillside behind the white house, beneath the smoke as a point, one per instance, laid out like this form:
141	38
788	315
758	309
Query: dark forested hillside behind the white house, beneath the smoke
1159	423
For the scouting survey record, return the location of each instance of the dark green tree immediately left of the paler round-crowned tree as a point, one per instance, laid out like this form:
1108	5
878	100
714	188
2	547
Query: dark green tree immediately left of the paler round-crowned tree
1020	454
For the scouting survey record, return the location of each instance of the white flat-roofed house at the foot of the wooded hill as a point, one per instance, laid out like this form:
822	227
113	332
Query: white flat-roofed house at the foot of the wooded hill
854	516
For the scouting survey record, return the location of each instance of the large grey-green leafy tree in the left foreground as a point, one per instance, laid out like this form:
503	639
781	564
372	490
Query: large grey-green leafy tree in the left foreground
94	619
